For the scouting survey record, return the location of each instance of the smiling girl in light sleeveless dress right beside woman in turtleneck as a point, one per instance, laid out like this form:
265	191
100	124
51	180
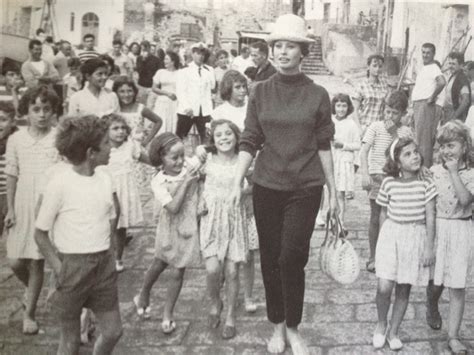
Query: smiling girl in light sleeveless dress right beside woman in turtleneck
223	233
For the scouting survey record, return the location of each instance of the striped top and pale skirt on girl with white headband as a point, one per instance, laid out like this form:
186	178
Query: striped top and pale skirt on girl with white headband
403	237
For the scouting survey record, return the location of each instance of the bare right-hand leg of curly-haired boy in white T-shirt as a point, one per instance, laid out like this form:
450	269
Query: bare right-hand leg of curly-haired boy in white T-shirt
110	326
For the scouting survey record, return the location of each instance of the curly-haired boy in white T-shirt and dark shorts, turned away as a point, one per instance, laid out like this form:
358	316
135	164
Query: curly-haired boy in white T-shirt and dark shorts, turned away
78	209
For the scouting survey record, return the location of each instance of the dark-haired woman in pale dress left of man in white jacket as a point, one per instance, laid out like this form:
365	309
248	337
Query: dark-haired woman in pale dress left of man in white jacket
164	86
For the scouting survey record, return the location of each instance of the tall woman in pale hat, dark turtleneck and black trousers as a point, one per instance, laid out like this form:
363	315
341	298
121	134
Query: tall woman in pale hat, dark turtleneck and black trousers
289	121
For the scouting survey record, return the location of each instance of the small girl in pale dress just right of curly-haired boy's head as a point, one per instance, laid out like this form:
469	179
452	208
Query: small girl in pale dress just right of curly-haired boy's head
124	154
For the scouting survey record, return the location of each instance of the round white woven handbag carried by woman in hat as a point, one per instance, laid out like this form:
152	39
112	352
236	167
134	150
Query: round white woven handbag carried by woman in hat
339	259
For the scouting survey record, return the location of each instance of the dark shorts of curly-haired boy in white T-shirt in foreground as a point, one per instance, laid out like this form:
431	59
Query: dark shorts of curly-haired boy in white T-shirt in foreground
85	280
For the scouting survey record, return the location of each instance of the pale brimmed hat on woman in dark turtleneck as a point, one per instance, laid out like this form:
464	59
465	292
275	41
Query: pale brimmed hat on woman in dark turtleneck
289	27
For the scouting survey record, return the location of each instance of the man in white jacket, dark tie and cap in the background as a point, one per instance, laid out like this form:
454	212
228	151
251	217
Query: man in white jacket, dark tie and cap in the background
194	89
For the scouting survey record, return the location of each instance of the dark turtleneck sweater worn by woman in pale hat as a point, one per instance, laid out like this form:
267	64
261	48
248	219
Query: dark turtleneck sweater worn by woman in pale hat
289	120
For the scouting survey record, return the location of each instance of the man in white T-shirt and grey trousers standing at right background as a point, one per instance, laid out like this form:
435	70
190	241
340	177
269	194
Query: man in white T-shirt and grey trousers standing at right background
427	106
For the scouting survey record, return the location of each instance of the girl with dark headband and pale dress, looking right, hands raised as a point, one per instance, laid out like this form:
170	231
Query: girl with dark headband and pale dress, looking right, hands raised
175	189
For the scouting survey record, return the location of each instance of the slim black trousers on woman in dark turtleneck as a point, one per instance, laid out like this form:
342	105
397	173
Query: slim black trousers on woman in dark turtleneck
285	222
